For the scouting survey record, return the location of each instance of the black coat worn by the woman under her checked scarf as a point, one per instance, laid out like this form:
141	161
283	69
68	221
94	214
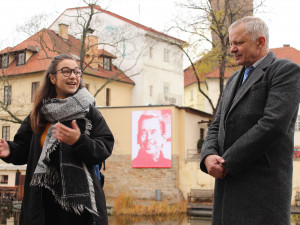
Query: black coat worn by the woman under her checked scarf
91	149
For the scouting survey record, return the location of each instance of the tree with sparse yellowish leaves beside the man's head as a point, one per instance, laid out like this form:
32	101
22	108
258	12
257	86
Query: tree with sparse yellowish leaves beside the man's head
208	22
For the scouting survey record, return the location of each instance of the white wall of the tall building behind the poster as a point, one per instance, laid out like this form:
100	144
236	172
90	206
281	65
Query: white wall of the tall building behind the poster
132	51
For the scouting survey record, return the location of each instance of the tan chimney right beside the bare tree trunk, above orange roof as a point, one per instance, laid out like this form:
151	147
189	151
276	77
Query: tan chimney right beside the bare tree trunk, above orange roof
91	56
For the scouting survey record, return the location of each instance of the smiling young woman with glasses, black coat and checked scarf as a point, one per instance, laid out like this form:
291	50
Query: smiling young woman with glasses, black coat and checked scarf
60	141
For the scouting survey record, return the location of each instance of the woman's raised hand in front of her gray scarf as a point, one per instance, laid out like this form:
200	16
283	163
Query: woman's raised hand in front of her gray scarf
65	134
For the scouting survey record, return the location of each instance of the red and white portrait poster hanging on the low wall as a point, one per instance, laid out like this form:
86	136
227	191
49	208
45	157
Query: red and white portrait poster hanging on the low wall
151	139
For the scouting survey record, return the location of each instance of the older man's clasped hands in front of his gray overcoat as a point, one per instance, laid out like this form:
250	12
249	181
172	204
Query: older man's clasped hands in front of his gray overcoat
214	166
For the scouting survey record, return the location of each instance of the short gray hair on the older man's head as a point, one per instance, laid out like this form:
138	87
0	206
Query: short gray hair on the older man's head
254	26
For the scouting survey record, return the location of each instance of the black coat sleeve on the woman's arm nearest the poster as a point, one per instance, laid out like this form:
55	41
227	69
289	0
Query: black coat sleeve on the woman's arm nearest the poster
97	146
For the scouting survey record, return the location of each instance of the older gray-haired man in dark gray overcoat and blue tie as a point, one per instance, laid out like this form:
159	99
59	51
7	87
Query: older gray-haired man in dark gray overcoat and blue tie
249	146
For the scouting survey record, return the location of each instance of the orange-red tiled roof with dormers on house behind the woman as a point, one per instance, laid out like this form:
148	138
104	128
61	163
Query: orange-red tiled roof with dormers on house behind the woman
48	44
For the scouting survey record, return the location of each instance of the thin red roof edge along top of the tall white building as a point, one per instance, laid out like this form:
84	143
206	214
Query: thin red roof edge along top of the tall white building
126	20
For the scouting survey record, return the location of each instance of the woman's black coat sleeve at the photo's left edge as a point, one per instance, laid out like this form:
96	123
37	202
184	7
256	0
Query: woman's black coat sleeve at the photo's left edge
20	146
